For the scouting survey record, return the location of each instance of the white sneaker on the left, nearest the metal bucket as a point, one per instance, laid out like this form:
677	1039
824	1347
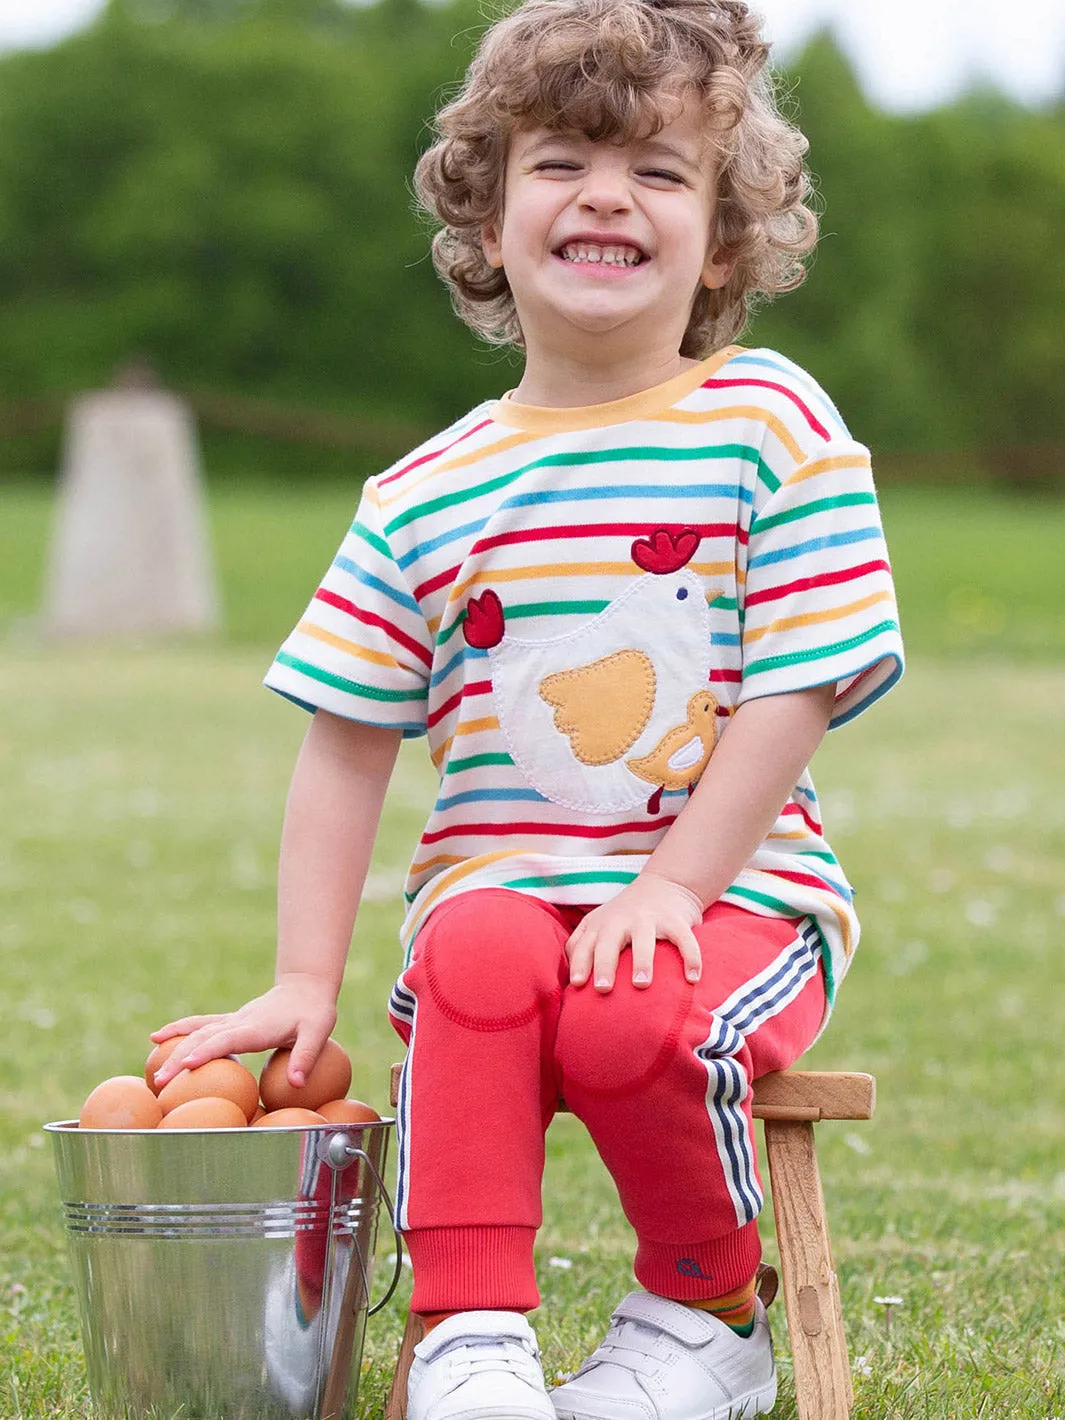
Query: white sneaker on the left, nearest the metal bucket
479	1367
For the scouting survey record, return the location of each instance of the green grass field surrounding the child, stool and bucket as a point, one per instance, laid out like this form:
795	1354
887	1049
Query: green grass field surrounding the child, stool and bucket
143	796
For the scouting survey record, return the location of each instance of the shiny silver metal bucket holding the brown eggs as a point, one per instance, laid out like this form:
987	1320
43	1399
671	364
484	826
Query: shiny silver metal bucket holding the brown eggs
224	1274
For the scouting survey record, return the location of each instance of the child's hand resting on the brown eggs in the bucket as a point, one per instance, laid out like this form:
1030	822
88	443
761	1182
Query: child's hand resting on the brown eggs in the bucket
300	1012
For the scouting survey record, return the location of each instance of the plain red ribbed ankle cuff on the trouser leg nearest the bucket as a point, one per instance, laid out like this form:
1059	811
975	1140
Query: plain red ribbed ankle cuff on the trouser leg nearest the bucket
474	1270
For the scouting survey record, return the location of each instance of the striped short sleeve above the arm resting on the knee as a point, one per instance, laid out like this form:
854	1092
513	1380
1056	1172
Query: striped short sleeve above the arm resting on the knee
819	604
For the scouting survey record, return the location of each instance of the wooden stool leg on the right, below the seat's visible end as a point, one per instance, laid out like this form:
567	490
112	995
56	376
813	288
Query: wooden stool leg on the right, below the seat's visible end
812	1293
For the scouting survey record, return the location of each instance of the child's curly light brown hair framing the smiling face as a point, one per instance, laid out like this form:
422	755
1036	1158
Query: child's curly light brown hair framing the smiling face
611	70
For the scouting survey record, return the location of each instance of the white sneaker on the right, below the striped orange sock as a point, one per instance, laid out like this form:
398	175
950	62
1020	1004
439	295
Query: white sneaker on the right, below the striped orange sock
662	1361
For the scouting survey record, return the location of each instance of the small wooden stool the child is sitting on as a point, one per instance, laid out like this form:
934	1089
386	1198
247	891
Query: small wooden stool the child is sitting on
789	1105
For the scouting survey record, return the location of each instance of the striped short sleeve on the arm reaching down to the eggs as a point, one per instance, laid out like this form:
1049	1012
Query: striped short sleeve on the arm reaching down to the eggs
363	650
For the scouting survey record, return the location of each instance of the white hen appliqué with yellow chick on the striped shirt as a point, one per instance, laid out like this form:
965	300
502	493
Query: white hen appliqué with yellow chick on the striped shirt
596	715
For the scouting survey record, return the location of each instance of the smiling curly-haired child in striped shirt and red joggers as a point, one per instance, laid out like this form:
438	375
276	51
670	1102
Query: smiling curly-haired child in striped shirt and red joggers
624	603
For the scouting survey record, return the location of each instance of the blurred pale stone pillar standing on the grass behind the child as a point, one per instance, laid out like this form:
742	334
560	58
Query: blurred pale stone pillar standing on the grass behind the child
131	552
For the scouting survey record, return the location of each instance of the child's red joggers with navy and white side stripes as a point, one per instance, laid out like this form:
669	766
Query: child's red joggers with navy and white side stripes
661	1077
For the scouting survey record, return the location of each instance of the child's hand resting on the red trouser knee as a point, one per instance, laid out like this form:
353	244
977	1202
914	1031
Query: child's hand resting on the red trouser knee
650	910
